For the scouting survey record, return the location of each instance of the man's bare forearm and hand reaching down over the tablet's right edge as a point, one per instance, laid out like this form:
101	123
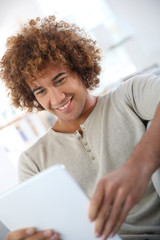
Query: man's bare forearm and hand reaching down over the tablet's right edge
120	190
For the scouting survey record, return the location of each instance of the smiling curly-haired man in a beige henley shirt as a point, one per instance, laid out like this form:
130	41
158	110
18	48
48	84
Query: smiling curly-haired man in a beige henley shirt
102	141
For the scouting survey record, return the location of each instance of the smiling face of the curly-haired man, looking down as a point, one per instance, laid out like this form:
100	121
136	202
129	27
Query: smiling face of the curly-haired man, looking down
60	92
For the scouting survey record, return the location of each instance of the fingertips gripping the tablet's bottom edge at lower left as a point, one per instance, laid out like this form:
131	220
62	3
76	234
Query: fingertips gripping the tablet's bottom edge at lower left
32	234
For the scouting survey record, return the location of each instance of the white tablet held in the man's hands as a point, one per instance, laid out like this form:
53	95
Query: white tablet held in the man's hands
49	200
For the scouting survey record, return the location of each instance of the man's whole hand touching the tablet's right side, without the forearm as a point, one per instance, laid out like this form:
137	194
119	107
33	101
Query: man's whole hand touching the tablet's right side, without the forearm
115	194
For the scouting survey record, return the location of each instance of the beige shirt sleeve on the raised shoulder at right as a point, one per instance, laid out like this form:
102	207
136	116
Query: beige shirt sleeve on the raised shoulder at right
142	94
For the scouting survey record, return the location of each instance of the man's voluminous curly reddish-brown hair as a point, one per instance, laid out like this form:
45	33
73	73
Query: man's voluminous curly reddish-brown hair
43	41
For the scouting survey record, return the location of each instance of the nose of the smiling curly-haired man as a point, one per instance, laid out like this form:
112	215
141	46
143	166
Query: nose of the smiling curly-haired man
56	97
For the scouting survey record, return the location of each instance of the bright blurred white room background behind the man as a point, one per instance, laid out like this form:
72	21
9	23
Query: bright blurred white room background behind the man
127	31
